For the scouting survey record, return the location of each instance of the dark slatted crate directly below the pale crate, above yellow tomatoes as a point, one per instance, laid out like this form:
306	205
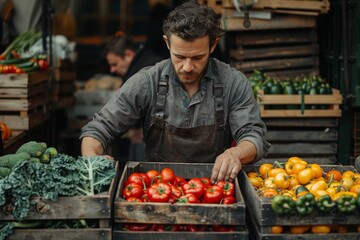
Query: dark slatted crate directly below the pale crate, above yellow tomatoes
313	139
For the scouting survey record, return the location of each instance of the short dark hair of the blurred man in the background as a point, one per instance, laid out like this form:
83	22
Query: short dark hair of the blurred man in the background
118	45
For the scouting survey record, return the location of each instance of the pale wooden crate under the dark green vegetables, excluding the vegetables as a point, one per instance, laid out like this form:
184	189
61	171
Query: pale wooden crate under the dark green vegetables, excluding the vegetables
331	103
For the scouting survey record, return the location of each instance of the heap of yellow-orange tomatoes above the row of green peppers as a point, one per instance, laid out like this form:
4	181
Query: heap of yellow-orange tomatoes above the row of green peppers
284	178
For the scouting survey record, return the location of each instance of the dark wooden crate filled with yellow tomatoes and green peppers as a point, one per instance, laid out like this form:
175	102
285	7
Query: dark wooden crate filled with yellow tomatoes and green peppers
299	199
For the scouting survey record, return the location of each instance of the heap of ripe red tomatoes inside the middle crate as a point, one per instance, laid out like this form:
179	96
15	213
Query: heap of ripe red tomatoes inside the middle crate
166	187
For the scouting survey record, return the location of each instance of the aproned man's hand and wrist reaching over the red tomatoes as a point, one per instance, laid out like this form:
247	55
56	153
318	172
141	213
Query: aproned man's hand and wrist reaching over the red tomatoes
229	163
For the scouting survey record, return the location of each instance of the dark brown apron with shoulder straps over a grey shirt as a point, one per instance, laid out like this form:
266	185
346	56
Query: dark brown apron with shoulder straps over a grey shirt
166	143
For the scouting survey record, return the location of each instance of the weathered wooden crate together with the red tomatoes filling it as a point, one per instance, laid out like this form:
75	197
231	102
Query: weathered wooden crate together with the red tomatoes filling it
177	200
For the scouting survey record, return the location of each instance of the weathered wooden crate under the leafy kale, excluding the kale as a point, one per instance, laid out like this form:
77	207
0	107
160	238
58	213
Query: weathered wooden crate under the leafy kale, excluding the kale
96	208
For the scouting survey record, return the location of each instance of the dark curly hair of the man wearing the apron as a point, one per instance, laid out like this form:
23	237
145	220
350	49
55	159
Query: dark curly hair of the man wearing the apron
192	20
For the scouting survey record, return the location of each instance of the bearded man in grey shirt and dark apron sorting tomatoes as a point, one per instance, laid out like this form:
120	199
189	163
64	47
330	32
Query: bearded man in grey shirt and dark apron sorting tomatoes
191	105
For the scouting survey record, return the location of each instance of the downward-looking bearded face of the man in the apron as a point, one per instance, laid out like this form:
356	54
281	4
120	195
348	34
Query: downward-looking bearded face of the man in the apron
189	58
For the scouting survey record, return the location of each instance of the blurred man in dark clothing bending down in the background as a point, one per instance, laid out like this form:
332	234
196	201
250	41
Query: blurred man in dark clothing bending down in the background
126	58
